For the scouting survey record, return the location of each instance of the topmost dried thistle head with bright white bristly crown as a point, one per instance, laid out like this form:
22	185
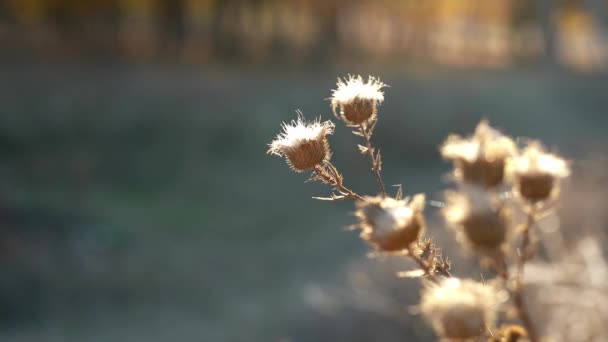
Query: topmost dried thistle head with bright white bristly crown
357	100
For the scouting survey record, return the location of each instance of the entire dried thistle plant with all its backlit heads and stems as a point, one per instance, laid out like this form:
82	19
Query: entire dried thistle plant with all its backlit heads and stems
494	179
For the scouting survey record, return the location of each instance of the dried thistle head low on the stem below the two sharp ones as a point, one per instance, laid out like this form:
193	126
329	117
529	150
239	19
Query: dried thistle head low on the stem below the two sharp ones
389	224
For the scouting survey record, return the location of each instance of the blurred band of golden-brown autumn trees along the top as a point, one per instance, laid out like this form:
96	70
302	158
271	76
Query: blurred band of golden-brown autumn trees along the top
467	33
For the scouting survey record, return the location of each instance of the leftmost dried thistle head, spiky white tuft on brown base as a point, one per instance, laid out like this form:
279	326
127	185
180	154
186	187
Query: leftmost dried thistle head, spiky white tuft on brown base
304	144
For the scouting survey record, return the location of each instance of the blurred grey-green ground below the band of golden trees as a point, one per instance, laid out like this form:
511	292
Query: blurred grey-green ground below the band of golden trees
179	227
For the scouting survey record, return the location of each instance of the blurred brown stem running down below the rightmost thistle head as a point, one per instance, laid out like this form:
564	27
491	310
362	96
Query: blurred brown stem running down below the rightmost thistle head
518	296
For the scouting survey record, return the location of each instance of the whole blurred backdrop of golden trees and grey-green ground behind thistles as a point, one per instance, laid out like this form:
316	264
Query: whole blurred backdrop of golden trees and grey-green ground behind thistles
136	199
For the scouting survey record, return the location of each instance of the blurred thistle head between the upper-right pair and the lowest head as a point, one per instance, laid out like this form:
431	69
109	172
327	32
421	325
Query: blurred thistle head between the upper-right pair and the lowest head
478	221
